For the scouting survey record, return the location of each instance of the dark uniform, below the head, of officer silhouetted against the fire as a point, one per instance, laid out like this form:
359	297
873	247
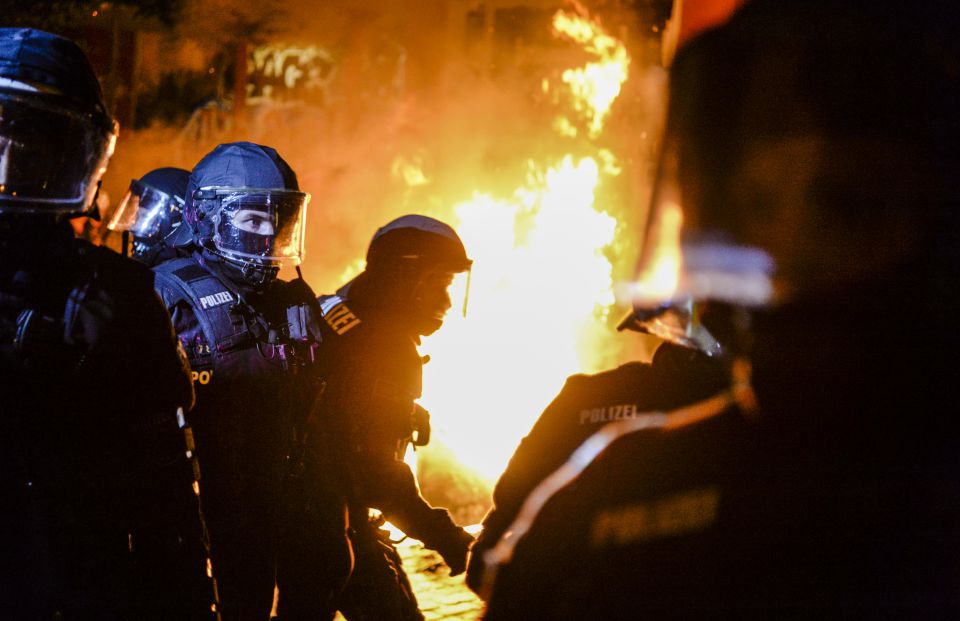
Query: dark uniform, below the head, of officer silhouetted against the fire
373	373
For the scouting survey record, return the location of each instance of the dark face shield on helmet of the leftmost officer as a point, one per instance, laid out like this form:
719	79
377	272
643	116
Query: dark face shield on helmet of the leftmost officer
52	153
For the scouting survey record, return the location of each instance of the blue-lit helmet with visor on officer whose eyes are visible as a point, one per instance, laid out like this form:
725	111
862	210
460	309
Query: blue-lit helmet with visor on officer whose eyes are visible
245	206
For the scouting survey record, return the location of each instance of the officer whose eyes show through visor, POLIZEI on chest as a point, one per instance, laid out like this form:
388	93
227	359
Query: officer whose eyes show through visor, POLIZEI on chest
251	340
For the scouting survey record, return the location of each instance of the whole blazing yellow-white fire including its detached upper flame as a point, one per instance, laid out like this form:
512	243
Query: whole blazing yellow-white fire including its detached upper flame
541	286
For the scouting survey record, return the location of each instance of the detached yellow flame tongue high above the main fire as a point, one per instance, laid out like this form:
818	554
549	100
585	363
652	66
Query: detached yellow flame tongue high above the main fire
596	85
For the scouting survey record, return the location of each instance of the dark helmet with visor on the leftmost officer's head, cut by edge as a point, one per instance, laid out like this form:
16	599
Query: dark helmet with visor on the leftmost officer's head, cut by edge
56	136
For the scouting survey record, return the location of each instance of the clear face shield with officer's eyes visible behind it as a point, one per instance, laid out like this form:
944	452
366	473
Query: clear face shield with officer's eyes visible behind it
257	226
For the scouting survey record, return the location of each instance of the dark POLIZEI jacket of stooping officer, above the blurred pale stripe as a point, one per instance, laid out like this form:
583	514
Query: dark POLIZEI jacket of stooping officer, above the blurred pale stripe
587	403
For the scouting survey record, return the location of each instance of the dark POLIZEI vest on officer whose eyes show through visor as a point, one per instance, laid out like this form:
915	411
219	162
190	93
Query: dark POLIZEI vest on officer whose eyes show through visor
231	338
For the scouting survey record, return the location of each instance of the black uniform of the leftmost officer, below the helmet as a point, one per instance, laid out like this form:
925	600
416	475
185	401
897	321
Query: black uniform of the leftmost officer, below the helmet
98	517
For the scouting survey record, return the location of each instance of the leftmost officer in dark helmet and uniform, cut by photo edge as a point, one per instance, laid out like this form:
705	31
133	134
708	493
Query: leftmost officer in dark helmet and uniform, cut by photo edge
97	513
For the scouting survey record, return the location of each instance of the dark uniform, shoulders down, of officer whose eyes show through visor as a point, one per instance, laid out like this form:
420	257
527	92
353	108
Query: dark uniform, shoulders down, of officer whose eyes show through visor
252	357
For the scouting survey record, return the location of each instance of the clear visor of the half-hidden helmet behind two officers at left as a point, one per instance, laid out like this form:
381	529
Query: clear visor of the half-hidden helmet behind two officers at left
147	213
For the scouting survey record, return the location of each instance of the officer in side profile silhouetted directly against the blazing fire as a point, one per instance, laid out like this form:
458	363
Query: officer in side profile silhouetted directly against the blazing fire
371	329
